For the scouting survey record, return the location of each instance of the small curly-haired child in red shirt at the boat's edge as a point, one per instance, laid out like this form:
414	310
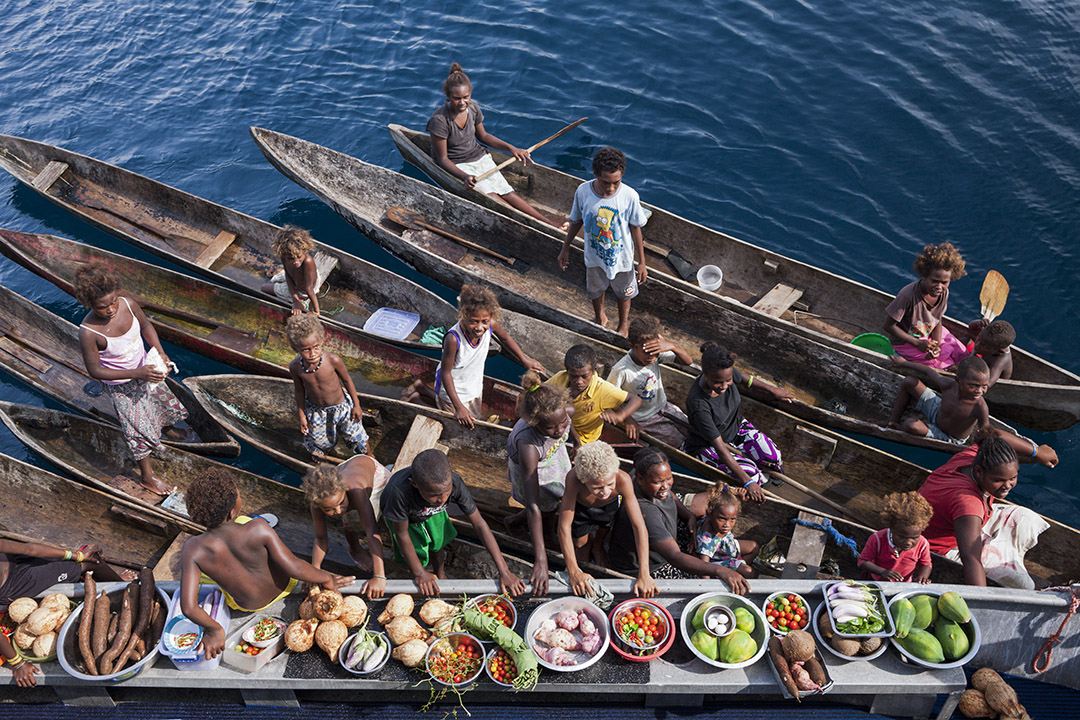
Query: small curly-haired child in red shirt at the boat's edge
899	553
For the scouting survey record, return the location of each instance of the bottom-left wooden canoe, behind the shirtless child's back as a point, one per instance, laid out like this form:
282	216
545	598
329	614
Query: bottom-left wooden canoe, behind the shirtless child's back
38	507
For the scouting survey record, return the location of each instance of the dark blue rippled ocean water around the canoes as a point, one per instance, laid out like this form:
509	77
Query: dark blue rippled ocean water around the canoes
847	135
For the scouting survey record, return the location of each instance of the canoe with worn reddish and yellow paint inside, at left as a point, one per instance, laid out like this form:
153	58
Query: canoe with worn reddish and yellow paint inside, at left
232	328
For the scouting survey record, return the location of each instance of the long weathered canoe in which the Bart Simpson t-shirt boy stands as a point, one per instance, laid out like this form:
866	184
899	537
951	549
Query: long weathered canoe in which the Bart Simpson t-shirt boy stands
832	388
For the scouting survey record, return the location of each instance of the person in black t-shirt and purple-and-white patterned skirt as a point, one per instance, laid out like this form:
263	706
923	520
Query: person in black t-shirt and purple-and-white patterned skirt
718	425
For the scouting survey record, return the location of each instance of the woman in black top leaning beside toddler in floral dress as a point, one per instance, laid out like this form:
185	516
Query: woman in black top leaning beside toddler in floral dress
663	511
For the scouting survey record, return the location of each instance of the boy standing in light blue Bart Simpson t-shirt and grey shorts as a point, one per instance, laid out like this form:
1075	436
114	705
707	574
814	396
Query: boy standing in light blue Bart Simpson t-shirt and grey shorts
612	216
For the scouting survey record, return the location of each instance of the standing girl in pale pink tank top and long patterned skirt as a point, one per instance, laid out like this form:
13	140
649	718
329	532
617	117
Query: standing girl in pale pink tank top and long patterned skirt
113	336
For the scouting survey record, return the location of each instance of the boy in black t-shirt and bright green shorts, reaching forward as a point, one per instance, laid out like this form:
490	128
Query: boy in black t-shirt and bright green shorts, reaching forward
415	505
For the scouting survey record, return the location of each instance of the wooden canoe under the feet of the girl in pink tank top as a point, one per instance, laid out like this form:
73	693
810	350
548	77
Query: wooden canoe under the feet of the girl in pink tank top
99	455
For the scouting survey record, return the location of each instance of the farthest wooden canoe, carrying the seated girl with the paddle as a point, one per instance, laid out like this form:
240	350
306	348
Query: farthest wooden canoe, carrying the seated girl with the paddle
832	310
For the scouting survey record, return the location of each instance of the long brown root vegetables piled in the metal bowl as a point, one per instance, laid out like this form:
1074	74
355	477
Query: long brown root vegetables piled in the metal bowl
110	642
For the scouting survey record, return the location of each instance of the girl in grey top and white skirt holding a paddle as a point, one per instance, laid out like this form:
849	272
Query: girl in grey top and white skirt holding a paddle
457	131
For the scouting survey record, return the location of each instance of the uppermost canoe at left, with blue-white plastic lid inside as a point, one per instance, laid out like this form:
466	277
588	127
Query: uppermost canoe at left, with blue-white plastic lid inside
231	248
